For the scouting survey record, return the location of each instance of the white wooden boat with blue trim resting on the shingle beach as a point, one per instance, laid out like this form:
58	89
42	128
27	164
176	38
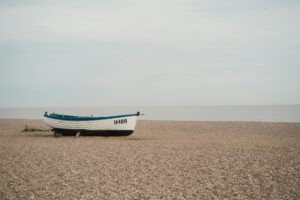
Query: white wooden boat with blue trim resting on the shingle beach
118	125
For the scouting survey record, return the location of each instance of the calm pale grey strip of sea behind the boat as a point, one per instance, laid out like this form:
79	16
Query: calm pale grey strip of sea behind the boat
284	113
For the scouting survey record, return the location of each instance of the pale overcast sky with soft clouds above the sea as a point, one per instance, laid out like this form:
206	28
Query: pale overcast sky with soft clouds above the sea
143	53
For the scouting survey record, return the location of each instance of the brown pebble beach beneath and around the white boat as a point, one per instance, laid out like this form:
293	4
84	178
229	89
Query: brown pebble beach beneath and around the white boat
161	160
